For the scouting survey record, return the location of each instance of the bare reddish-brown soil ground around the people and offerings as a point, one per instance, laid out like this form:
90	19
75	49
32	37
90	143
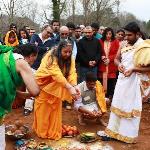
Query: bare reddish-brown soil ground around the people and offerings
70	117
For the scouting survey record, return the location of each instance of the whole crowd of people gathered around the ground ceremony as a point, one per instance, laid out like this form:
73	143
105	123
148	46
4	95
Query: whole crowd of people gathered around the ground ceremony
76	67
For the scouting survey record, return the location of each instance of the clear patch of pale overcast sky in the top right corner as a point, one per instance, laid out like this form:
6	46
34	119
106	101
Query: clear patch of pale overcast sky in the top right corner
140	8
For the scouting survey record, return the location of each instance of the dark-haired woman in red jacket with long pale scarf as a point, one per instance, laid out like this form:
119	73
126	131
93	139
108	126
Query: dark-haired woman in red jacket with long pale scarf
107	71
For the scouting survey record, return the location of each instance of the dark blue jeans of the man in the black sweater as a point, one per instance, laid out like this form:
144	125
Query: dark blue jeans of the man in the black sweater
85	70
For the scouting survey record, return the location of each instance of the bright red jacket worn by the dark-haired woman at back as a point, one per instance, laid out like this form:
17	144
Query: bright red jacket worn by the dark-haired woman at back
112	68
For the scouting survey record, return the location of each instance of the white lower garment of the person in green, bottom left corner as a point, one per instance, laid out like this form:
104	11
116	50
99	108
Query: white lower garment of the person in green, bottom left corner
2	137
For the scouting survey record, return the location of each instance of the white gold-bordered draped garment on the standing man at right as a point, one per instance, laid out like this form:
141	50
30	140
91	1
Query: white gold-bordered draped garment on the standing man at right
127	102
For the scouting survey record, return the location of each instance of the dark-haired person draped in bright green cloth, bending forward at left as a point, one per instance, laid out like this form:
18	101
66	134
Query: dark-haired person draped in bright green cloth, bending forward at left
15	71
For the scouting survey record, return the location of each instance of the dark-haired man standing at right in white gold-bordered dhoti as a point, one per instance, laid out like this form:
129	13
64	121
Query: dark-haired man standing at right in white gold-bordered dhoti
127	100
